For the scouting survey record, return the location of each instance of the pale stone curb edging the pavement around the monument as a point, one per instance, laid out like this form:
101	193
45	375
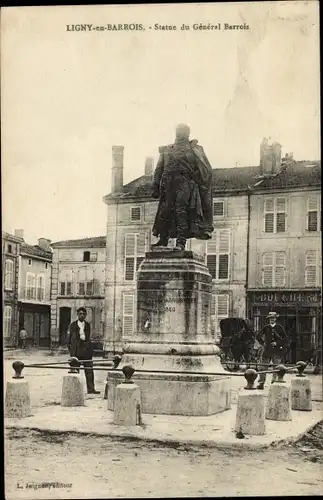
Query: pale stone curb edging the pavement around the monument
166	441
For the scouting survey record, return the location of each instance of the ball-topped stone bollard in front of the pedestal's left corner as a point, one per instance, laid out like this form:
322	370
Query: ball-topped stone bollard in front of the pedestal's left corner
127	401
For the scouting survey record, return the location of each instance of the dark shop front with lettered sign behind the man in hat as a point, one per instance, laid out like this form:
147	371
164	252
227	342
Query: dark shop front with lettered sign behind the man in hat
300	313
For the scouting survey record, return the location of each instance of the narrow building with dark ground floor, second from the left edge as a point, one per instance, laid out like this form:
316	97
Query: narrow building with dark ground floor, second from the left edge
35	269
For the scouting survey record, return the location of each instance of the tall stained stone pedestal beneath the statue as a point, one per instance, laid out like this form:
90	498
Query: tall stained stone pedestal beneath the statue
174	291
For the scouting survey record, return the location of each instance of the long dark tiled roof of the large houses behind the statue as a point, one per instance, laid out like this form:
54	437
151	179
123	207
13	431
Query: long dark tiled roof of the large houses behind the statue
237	179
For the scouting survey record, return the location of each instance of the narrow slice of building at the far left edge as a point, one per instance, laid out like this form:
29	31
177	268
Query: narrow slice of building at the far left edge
10	273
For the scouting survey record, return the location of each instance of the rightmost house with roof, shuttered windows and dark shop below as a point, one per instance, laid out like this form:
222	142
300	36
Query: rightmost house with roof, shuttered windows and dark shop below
285	259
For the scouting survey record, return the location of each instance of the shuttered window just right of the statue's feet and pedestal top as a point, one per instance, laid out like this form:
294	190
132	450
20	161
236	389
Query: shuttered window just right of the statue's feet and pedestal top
217	254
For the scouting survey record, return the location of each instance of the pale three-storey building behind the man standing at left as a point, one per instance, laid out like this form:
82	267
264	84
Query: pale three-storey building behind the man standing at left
78	280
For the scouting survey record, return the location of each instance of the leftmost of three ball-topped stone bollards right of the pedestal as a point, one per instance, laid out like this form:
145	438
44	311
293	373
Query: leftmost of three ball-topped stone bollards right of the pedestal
250	418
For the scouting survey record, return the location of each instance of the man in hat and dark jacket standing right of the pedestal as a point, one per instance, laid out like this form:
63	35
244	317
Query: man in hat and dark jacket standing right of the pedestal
274	342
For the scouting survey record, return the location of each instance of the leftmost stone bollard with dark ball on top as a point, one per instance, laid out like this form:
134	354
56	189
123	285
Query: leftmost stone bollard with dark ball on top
17	401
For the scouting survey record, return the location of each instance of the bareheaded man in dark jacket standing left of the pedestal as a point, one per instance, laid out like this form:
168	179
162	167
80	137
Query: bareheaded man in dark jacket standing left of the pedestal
80	346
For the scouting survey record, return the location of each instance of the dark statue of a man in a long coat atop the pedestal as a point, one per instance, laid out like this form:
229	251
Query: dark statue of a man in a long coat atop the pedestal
183	184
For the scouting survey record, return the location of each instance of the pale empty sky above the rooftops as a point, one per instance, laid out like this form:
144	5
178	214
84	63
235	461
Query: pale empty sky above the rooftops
68	96
